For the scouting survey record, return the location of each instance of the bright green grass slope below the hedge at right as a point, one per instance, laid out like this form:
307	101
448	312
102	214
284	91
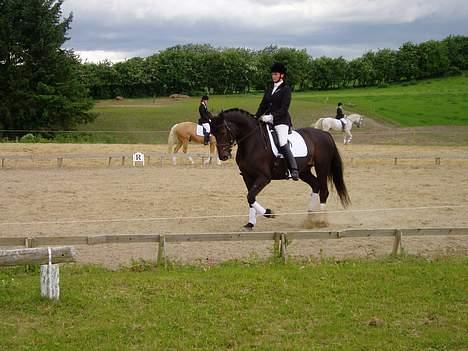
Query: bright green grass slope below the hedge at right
431	102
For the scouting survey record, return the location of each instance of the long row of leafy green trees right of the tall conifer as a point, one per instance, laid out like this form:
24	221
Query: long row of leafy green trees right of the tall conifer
196	69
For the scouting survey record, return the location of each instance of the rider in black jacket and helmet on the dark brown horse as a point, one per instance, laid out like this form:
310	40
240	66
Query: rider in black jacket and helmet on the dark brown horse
274	109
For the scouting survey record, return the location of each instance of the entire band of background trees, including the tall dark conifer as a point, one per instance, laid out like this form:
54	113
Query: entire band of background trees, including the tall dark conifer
46	87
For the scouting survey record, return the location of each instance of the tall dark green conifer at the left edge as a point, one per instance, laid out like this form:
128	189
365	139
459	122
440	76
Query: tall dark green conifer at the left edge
40	83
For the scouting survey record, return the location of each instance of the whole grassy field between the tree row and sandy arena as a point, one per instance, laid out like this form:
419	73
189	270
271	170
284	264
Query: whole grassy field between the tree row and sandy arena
425	103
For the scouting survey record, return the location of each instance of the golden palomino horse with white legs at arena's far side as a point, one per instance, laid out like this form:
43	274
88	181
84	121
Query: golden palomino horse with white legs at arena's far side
184	132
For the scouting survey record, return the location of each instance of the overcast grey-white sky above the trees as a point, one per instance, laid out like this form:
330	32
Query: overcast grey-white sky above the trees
121	29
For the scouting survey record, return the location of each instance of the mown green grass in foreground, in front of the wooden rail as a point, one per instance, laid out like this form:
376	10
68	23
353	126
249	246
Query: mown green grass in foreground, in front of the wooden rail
263	306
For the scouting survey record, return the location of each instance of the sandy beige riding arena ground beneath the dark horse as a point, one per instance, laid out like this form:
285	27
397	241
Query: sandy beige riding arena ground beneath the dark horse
89	197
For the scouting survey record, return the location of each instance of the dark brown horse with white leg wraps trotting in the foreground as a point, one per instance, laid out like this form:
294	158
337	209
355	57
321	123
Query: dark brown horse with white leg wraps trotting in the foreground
259	166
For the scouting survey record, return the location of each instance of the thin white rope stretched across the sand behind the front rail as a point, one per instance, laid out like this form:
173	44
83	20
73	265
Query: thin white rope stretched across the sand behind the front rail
149	219
